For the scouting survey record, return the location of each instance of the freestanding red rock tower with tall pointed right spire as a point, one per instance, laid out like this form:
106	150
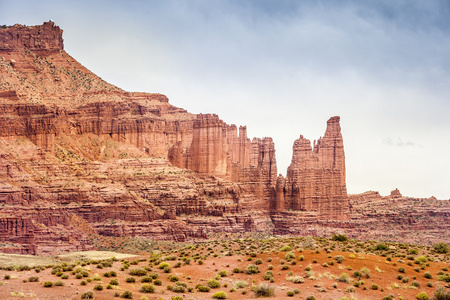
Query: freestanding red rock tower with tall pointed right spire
315	179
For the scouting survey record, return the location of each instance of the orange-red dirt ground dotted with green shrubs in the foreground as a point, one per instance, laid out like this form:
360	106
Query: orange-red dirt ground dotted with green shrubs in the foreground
320	281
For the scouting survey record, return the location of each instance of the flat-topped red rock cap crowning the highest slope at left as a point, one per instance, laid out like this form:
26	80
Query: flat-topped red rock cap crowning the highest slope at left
42	38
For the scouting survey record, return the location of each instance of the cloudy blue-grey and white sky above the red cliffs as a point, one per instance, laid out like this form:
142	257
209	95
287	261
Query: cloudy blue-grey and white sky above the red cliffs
282	68
